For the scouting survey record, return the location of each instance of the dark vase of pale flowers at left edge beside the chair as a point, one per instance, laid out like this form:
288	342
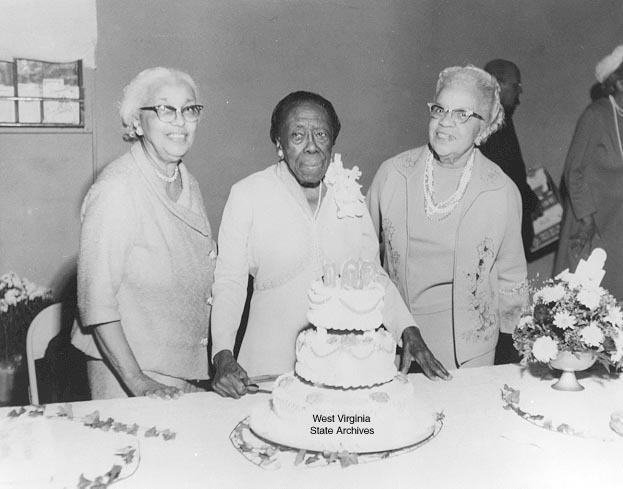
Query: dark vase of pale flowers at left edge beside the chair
20	301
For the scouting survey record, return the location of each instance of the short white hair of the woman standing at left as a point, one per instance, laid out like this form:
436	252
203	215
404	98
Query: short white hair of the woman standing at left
136	94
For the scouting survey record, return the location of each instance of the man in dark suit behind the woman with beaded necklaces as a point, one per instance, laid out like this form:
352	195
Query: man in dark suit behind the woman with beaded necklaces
503	149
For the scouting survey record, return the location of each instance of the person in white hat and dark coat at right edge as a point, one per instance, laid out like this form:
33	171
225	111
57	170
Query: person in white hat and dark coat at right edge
593	178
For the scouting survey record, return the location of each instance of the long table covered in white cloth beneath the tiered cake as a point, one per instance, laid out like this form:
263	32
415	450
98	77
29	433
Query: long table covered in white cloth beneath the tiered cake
481	444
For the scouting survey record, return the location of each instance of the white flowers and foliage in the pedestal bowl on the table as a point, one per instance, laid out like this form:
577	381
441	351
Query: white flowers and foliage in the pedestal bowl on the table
571	312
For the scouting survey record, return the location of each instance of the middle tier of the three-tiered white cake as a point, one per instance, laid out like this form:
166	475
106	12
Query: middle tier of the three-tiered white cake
345	360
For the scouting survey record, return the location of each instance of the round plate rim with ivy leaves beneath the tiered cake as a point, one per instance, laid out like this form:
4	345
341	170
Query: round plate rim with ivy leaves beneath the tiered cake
273	452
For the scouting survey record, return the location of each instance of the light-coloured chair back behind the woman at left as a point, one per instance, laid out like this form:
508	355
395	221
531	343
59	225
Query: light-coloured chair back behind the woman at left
46	325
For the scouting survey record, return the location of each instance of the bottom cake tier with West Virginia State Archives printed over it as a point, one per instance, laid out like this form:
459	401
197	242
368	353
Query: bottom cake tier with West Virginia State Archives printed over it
356	420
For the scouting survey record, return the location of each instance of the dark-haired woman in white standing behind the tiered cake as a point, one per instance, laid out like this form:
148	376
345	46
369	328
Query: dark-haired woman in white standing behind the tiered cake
281	225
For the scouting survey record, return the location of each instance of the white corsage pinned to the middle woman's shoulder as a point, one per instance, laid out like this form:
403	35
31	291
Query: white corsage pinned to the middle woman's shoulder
346	189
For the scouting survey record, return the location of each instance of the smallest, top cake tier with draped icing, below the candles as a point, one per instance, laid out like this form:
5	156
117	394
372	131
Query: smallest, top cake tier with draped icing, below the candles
342	309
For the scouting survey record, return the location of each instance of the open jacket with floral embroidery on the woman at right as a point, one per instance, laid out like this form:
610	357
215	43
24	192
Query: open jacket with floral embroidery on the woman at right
489	285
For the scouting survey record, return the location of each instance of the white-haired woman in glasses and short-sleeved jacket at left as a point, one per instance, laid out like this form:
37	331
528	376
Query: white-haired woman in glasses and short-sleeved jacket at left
147	257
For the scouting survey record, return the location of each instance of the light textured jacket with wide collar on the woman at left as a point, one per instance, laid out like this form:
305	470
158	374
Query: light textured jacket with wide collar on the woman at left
148	262
